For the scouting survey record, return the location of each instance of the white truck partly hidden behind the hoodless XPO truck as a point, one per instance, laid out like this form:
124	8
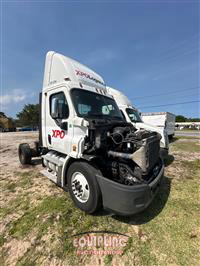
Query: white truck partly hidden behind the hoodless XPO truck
132	115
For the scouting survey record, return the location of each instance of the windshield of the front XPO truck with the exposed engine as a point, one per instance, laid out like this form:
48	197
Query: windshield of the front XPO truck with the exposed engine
89	104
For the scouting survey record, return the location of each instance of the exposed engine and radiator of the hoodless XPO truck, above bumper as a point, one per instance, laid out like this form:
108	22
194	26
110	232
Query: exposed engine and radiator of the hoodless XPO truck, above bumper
122	152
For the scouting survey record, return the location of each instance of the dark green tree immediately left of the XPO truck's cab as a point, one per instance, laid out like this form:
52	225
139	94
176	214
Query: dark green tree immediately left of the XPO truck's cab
29	116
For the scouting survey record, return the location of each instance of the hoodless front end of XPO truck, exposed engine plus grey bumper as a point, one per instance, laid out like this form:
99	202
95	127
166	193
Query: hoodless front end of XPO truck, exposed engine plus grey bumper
129	162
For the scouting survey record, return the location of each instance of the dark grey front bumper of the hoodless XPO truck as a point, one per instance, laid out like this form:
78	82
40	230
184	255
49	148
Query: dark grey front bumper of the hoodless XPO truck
128	200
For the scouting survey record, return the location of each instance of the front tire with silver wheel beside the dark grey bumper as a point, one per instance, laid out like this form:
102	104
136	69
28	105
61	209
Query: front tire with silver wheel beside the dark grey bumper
91	200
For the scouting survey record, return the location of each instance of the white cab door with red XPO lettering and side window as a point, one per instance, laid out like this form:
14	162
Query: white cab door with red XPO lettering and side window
58	132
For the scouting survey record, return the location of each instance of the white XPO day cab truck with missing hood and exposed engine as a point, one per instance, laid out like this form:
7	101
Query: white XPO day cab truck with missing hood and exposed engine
86	145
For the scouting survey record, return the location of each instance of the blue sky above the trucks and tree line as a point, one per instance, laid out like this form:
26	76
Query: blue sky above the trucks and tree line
147	49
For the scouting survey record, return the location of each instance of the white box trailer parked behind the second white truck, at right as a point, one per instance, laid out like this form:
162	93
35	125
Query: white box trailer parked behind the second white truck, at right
163	120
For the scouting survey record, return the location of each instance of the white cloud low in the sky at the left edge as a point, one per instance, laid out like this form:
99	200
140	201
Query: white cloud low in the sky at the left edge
15	96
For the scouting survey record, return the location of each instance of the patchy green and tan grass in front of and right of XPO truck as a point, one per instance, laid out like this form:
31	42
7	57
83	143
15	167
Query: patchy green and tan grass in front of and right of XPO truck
165	233
